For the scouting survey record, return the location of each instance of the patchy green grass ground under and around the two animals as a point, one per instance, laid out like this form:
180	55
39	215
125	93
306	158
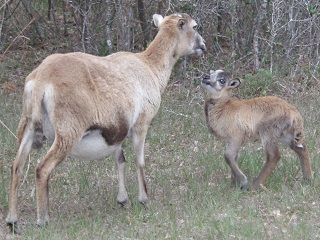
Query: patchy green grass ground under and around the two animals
188	183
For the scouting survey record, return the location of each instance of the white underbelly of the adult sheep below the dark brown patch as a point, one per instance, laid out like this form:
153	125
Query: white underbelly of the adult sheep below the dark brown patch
93	146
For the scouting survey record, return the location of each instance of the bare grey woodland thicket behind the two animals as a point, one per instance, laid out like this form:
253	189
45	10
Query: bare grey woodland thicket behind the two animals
243	36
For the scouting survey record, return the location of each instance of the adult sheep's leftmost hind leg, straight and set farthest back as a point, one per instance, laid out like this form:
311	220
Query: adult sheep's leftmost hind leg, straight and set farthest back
16	172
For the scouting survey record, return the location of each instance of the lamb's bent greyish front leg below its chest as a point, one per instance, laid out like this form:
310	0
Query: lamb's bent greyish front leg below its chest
231	156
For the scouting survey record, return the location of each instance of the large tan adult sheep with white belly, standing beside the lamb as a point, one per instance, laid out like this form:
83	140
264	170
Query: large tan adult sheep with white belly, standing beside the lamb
87	105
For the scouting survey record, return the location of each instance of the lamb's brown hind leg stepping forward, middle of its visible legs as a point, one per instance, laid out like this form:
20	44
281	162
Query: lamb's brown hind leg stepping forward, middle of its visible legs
273	157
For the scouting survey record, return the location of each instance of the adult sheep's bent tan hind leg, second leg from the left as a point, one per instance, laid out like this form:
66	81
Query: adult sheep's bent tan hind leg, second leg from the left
50	161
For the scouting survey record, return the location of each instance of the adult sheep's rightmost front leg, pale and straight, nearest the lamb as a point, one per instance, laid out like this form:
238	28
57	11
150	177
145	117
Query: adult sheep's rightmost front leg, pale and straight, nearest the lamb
138	142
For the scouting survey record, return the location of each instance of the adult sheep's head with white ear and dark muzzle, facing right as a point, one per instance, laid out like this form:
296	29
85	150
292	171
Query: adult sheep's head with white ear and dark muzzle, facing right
184	28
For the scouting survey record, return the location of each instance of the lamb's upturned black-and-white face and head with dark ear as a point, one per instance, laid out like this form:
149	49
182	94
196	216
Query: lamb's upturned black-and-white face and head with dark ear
218	83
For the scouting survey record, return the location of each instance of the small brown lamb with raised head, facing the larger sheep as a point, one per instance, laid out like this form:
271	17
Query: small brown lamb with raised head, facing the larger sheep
270	119
